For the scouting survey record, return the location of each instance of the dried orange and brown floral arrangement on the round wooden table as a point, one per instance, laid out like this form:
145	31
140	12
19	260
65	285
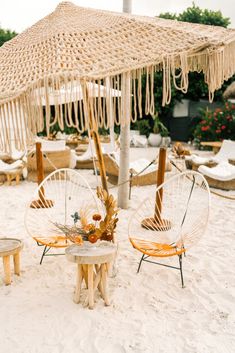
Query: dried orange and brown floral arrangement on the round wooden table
103	229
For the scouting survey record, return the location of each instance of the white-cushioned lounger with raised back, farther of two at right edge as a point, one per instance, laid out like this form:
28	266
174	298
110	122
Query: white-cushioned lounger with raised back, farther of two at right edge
226	152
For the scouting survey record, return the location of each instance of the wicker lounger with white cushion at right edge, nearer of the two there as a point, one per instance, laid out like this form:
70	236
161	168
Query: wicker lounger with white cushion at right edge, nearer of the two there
222	176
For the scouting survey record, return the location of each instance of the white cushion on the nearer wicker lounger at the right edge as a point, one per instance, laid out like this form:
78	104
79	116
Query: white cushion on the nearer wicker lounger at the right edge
224	171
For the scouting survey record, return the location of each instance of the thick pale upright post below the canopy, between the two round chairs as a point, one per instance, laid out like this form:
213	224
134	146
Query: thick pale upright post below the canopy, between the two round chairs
123	178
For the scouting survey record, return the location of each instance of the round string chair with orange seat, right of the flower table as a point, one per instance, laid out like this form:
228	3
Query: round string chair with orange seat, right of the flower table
171	221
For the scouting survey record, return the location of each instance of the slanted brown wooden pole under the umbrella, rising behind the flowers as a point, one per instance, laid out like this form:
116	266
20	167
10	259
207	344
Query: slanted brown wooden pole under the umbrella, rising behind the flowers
88	108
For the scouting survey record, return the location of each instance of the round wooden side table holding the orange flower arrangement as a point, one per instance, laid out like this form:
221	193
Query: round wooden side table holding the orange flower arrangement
92	267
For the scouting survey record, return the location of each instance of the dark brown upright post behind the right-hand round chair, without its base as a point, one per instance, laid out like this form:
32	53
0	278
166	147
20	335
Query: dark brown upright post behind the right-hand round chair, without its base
160	180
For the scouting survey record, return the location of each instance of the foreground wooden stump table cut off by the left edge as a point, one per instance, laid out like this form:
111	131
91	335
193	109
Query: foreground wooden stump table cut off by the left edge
8	247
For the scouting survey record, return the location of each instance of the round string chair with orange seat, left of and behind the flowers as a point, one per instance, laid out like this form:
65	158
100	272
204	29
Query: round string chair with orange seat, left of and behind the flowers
62	196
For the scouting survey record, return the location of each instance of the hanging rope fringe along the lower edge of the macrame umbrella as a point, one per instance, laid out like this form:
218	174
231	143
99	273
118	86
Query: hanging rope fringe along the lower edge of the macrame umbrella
59	100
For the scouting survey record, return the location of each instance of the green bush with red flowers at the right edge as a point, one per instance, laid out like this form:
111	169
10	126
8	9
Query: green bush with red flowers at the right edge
216	125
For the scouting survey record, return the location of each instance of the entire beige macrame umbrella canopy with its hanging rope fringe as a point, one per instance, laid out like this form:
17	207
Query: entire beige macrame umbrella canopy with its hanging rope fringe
75	44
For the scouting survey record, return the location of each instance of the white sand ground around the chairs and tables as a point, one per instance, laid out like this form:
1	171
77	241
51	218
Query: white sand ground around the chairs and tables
150	312
